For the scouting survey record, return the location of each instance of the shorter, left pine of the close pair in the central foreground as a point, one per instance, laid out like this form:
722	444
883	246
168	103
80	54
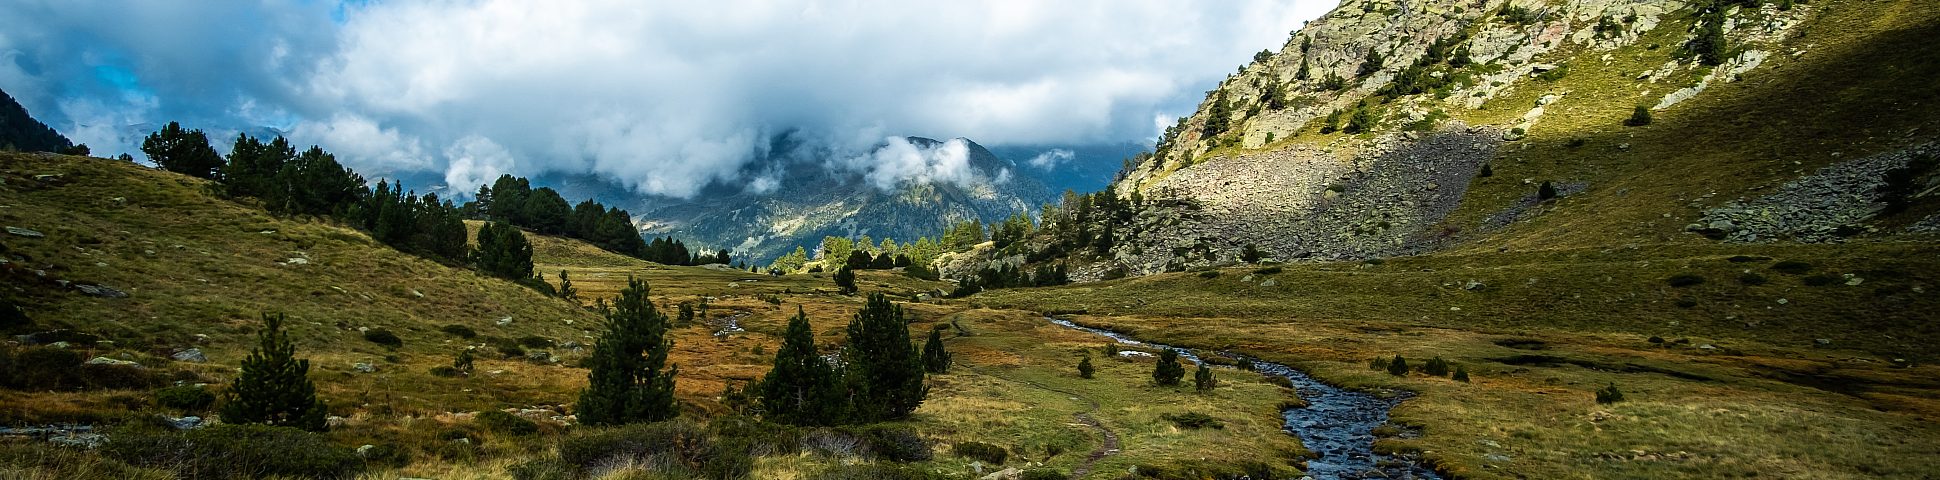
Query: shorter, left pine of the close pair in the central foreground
802	390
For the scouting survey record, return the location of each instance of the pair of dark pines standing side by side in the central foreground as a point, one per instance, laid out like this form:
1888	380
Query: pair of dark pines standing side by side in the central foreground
878	378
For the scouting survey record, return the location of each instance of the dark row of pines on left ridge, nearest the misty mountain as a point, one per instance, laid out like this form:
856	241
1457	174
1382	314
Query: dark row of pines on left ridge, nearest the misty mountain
513	201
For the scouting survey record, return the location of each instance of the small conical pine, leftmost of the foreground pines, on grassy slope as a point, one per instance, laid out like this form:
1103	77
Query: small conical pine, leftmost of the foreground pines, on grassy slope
275	386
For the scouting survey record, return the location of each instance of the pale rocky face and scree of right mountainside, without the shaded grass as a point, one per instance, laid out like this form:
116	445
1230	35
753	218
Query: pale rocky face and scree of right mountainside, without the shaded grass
1365	131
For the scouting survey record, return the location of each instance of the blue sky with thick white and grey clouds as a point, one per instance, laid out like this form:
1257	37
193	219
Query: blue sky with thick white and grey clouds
661	98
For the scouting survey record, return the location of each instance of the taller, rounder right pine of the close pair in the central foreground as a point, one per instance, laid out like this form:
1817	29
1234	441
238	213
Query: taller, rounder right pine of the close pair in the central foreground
884	372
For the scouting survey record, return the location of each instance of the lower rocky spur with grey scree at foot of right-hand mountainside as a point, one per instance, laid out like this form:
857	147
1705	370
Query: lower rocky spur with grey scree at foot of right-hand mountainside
1307	203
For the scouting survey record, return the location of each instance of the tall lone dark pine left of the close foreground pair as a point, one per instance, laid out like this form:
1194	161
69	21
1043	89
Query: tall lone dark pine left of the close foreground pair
630	378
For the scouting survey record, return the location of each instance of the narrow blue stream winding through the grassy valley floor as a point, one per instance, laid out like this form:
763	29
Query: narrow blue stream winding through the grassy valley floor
1336	425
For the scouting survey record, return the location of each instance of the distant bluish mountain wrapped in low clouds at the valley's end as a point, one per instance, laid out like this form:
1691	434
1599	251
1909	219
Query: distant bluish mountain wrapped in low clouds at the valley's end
808	201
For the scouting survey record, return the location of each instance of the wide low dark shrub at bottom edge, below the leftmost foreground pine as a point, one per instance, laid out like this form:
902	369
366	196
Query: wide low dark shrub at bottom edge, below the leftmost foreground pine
236	452
